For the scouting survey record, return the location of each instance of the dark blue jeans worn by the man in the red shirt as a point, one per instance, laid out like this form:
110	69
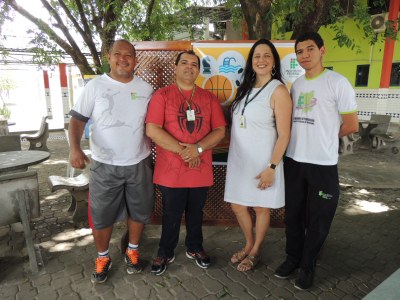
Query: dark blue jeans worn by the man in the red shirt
176	201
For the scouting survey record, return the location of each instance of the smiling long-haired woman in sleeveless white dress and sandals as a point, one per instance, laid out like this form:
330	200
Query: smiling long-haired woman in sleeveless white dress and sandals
261	120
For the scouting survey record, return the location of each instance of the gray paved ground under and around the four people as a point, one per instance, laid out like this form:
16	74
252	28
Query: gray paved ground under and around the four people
361	252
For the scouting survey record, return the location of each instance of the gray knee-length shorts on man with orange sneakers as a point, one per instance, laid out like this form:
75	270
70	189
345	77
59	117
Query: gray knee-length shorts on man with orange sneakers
118	191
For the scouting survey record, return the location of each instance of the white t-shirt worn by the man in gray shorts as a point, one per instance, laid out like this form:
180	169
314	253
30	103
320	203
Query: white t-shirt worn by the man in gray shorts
118	112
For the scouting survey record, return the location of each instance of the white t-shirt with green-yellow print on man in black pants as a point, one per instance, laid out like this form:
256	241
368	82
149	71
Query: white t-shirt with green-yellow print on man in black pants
317	105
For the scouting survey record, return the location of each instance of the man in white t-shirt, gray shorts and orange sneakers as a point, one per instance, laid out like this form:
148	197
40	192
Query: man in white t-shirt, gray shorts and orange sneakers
121	171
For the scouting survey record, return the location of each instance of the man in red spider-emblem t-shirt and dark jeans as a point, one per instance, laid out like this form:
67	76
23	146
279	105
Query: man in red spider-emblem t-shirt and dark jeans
185	122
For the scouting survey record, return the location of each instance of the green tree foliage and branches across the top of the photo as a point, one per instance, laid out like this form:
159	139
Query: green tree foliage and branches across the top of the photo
83	29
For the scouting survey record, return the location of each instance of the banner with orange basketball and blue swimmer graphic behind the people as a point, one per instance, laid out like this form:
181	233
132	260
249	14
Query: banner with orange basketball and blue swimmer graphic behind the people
222	65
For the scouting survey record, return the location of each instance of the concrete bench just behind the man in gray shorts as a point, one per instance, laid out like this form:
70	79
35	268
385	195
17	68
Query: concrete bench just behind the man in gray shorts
78	187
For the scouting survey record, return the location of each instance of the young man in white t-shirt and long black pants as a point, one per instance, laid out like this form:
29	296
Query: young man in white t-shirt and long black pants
324	109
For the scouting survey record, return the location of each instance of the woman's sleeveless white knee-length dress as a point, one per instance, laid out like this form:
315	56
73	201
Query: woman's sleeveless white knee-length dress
250	153
